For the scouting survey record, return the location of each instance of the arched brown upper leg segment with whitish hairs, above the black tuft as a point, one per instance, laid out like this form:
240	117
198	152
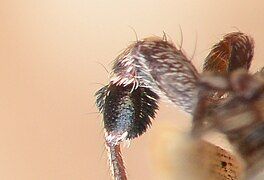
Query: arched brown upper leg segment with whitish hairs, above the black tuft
160	66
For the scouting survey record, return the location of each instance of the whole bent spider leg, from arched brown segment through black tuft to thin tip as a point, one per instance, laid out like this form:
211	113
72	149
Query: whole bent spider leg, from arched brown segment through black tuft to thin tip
146	70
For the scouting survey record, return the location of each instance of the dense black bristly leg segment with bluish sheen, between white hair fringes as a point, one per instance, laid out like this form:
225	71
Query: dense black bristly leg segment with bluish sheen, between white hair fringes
125	111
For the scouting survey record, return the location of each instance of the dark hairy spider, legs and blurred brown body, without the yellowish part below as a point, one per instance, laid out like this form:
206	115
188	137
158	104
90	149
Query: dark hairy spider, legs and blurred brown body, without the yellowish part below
154	68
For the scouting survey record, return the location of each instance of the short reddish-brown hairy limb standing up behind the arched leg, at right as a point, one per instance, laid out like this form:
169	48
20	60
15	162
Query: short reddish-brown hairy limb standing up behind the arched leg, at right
234	51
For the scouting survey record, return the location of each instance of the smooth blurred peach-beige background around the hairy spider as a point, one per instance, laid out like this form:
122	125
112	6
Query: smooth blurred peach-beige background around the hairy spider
50	67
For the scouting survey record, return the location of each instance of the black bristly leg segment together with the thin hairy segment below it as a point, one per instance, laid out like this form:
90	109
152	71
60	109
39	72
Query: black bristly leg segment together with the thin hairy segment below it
126	115
